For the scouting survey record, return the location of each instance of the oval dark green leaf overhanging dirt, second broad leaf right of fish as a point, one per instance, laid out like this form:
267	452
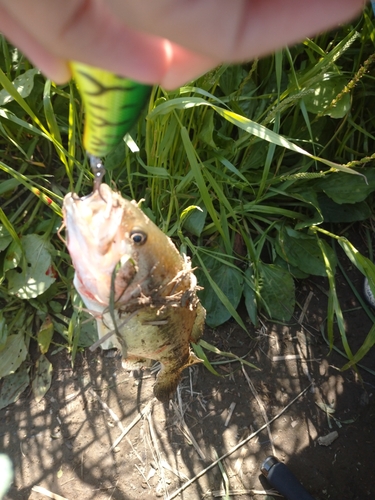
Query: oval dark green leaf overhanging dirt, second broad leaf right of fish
277	291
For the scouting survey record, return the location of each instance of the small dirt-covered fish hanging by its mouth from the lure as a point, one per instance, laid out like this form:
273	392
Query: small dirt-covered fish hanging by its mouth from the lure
133	280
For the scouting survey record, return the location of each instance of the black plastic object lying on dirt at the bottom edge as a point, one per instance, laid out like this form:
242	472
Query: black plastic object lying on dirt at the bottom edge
281	478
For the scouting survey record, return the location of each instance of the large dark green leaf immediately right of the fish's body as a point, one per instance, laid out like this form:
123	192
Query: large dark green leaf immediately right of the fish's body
228	280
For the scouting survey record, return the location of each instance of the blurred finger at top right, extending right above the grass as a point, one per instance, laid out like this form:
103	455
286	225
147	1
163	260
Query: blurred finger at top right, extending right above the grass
238	30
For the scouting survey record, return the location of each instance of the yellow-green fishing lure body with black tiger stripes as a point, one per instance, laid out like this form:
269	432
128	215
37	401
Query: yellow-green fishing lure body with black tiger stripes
113	104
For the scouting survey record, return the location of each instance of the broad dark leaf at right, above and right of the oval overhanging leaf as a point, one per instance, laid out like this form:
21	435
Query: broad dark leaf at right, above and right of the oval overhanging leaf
302	251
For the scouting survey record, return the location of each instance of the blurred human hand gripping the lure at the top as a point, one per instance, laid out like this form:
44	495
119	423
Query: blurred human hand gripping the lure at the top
167	42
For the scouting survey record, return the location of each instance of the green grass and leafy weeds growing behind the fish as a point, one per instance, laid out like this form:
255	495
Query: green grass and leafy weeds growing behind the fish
254	170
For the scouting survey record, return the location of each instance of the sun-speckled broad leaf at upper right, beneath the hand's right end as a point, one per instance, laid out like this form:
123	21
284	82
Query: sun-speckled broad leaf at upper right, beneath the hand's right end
325	91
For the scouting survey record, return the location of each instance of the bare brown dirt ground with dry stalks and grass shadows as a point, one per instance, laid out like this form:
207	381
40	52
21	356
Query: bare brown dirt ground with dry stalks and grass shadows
63	443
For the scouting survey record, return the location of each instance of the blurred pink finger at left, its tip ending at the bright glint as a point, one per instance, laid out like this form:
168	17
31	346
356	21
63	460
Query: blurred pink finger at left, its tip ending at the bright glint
83	31
